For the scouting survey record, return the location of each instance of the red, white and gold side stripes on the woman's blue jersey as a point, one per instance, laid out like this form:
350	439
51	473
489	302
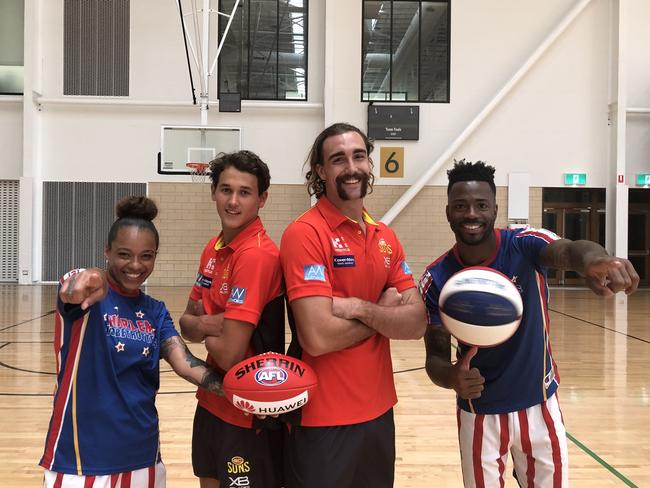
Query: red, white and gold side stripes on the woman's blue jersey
67	390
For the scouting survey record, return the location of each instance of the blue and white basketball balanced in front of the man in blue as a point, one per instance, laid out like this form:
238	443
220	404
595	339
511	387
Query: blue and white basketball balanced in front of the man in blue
480	307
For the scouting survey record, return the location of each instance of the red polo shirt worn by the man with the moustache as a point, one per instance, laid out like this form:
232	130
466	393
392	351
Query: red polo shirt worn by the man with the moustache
324	253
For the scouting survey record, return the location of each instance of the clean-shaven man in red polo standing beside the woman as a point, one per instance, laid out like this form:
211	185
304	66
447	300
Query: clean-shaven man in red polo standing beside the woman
237	307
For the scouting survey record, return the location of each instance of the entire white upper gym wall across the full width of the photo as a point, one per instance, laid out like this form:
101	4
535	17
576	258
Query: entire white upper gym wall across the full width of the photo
554	121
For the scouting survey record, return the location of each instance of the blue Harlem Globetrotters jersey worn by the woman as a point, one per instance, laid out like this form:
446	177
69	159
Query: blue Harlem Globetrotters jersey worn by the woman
104	418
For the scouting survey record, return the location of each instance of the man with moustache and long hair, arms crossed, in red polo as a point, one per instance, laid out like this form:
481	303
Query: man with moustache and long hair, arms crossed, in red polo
350	291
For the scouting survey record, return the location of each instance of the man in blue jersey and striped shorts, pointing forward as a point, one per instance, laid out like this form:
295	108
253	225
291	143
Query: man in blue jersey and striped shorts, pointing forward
506	396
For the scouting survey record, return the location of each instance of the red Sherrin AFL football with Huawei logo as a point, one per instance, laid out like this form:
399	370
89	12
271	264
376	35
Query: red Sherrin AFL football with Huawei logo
269	384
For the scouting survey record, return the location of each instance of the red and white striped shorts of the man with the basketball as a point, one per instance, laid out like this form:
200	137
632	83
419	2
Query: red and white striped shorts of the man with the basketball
535	437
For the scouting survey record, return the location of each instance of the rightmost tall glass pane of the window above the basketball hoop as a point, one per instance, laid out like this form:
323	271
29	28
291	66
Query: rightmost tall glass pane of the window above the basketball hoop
291	59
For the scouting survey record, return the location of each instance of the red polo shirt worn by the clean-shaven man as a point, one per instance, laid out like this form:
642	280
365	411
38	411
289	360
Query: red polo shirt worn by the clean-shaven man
238	279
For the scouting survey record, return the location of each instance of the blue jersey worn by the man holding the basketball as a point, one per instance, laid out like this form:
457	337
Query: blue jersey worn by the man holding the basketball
520	372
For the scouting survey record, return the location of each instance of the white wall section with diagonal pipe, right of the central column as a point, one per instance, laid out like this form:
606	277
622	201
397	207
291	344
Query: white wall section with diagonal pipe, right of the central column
555	119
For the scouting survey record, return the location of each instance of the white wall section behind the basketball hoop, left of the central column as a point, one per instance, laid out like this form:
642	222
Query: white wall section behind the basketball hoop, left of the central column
118	142
